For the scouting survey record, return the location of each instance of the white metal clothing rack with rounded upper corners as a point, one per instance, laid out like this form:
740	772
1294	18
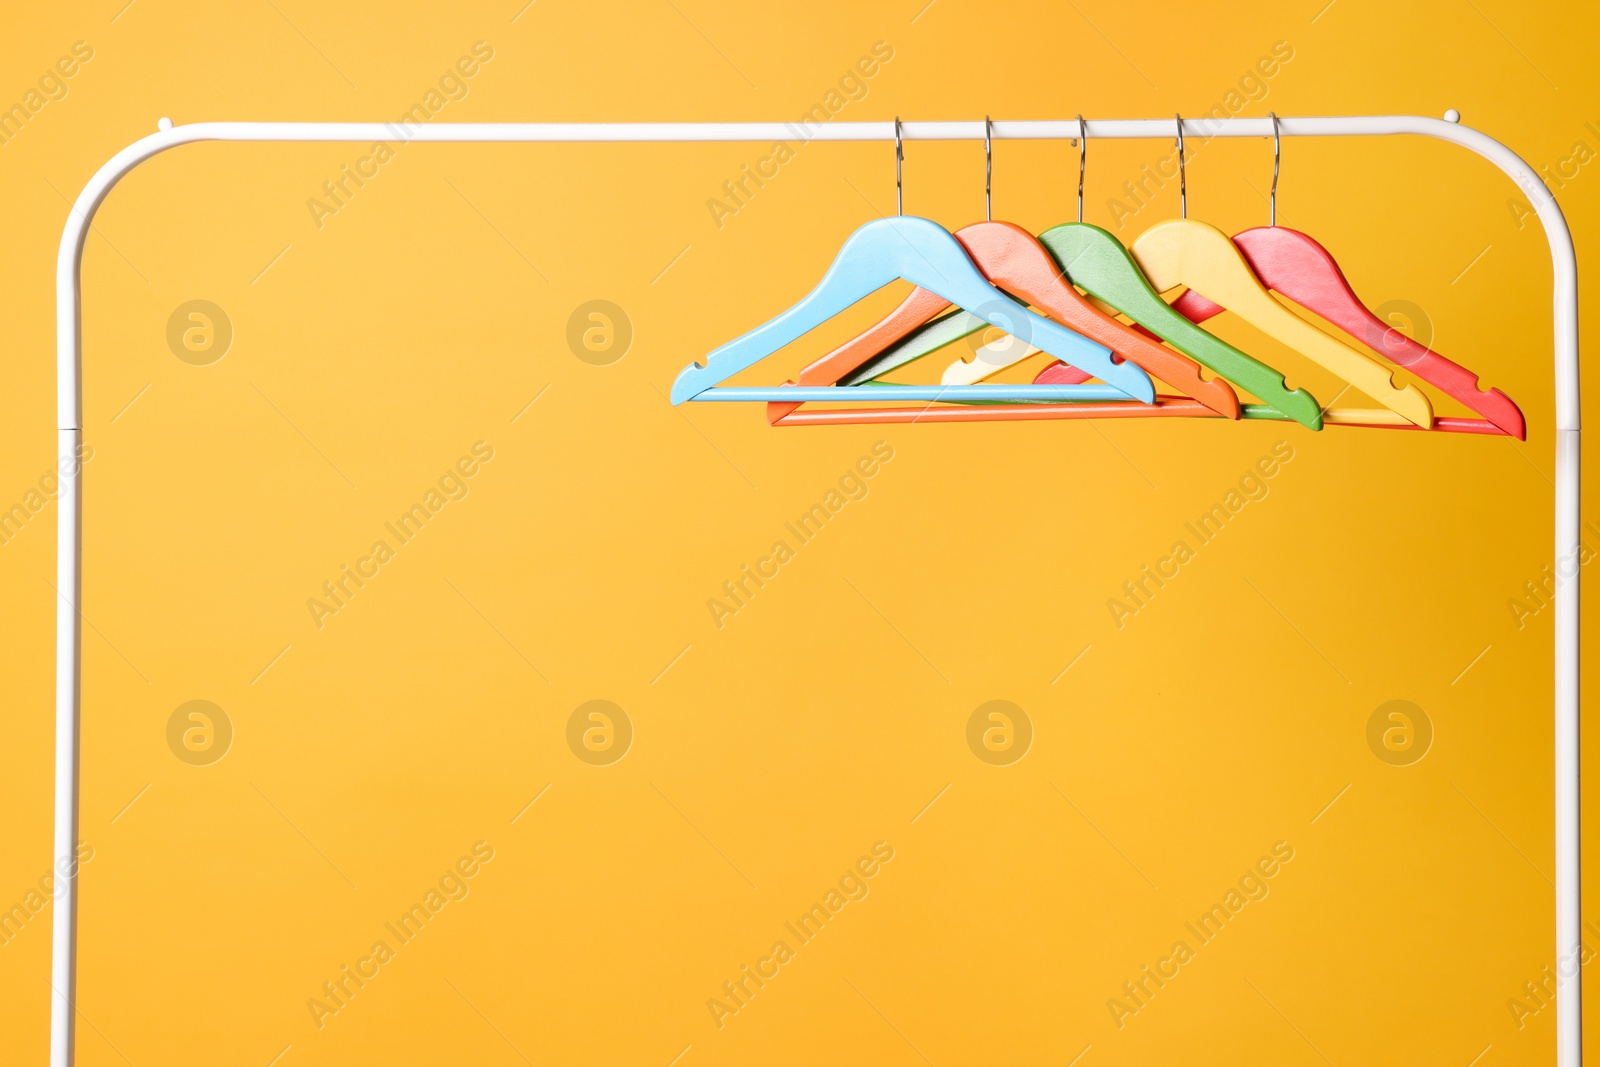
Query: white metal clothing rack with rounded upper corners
70	370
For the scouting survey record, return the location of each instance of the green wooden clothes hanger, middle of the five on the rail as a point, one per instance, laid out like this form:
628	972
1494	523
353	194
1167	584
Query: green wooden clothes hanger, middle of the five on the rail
1097	263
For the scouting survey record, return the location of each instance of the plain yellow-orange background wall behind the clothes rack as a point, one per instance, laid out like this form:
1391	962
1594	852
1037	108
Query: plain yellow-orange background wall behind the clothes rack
377	748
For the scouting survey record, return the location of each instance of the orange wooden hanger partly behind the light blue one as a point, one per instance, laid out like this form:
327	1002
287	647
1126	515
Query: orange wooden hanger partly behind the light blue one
1017	263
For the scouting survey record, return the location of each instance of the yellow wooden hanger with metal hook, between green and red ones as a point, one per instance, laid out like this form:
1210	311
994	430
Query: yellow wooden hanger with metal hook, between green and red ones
1199	257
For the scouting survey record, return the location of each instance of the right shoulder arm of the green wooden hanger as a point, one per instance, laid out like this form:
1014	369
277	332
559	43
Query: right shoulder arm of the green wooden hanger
1098	263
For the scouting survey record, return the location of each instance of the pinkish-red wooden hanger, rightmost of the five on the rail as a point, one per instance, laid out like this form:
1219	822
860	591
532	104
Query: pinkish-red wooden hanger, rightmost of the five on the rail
1297	266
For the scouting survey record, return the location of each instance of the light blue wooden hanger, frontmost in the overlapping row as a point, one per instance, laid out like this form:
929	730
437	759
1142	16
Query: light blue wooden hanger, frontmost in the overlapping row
927	255
